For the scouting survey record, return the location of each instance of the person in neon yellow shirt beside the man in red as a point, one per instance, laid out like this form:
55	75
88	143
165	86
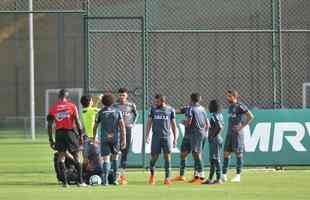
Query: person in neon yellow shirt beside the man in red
88	116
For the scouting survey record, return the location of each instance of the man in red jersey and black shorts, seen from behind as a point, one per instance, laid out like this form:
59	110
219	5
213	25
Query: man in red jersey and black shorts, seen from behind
65	115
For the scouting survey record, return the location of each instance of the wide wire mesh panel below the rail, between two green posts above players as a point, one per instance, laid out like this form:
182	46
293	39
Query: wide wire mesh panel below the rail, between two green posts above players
211	63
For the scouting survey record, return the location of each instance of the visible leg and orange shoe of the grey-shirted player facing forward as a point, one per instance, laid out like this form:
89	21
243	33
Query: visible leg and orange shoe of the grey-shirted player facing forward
124	156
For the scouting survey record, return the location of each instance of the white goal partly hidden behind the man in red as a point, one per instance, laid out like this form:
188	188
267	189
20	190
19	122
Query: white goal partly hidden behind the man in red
51	96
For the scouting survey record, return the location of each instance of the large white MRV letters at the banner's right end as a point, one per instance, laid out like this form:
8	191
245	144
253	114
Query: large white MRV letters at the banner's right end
263	139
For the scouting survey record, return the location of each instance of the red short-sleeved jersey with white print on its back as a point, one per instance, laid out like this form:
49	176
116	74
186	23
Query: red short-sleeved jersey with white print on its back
64	114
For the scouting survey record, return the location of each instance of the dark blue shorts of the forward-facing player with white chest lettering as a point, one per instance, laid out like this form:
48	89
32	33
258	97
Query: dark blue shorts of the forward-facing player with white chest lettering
160	144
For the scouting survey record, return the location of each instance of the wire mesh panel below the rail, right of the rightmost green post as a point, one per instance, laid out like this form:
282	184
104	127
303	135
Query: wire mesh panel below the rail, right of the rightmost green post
295	66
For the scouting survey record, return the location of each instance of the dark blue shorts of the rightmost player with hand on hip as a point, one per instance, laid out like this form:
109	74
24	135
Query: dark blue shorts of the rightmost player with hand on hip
234	142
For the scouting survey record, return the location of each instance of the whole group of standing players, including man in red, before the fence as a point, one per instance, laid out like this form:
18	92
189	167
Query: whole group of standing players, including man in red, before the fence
111	129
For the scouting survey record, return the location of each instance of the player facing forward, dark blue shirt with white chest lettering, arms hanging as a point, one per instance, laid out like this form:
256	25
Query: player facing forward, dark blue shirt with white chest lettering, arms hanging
161	118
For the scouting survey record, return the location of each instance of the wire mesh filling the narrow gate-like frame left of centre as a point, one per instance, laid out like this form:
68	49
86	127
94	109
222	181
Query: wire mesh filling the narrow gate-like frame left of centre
115	57
